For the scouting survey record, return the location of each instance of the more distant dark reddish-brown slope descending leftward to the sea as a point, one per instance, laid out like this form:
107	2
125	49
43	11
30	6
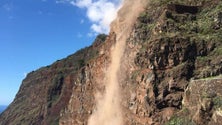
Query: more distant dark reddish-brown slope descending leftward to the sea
45	92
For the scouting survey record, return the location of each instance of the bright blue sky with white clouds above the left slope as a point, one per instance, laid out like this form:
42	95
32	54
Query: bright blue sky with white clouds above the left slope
36	33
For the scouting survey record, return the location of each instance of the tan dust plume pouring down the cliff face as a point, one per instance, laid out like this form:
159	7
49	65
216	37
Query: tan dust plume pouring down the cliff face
108	108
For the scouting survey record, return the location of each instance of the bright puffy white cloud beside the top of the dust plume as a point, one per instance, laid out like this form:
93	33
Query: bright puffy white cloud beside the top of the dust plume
100	12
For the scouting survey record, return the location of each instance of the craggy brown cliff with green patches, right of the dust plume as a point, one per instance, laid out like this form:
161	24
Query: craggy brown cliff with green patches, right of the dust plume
174	43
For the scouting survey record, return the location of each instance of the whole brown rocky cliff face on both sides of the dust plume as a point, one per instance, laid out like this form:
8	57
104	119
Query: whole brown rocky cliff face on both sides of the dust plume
170	72
